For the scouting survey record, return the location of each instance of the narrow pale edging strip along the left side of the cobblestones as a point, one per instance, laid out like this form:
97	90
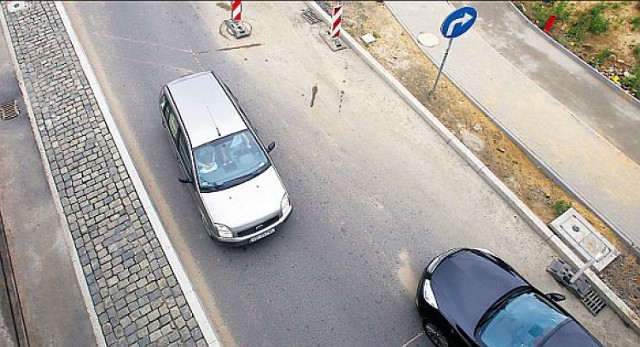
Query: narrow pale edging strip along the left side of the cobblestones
68	239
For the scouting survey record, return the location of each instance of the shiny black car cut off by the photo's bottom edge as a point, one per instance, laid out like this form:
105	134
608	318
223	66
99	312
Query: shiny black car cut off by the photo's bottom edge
470	297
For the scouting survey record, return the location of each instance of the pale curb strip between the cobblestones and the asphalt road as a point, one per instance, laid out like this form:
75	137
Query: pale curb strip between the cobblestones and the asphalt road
163	238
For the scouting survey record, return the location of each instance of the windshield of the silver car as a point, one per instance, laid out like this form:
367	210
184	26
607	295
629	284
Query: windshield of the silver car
229	161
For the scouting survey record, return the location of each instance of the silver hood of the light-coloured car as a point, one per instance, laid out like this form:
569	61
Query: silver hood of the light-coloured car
246	204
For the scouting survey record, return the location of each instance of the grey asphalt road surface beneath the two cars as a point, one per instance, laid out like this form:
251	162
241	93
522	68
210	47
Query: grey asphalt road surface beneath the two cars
376	192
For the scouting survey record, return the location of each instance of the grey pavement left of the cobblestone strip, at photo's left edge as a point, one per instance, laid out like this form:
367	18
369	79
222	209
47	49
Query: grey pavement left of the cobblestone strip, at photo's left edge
48	297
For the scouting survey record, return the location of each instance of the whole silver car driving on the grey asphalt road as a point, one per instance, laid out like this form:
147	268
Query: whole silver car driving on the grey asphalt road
238	191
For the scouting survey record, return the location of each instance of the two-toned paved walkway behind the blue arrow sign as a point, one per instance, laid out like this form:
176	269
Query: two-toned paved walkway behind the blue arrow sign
538	115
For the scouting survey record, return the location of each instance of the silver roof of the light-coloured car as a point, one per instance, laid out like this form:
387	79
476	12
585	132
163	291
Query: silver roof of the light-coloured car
205	108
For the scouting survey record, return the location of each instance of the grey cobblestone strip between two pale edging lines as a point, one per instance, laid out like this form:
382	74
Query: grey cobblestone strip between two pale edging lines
136	295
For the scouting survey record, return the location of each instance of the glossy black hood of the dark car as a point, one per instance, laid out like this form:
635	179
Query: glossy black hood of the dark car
467	283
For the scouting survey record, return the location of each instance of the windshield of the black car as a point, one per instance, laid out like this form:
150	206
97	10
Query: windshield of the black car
522	320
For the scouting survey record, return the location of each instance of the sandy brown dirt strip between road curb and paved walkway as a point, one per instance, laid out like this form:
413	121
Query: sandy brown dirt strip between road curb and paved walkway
398	53
